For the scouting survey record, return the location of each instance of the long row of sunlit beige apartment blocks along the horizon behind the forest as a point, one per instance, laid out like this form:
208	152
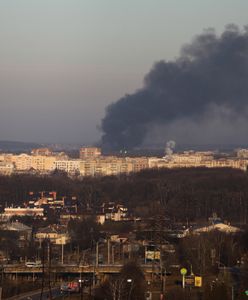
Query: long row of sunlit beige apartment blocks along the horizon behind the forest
91	162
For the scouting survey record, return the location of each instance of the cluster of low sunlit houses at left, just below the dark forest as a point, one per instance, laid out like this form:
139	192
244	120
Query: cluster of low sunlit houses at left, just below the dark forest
64	208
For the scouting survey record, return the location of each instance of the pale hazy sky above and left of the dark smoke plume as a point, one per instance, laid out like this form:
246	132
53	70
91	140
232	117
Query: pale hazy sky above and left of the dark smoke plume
63	61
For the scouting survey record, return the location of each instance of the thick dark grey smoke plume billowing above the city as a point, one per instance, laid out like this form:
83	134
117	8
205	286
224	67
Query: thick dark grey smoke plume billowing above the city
211	74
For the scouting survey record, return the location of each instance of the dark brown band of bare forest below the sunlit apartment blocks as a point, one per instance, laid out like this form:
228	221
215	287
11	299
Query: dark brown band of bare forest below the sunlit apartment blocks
187	194
